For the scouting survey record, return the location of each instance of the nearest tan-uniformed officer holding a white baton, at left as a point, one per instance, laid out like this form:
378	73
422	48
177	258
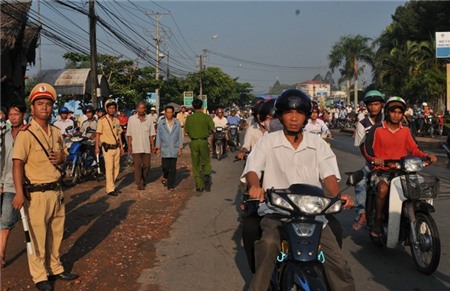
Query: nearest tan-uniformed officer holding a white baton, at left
40	147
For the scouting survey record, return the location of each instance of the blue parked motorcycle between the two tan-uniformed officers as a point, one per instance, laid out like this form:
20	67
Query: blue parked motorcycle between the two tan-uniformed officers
81	162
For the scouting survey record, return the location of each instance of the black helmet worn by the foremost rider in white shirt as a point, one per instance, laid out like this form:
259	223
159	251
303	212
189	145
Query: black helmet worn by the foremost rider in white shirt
293	99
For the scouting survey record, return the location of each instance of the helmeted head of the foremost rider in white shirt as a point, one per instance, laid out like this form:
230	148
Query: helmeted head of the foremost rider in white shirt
293	108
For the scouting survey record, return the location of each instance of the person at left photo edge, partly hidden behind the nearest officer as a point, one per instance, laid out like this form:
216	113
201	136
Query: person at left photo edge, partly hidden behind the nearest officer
8	214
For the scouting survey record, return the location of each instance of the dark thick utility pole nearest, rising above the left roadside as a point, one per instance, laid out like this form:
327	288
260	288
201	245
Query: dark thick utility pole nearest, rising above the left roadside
93	45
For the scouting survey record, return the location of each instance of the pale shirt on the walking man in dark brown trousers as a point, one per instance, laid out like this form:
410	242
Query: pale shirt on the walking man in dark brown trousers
140	131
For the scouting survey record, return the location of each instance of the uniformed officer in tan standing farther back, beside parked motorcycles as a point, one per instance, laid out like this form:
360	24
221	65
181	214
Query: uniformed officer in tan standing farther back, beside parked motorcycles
108	138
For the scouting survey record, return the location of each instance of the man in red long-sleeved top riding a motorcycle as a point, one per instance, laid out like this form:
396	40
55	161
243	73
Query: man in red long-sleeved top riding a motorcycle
389	140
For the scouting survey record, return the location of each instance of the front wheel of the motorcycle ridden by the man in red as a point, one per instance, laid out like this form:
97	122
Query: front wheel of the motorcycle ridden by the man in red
426	251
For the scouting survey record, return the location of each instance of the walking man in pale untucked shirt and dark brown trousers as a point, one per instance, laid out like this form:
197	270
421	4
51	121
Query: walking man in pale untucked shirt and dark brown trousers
140	134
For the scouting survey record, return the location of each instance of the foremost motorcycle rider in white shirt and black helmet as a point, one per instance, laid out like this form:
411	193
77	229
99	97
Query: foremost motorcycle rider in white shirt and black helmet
288	157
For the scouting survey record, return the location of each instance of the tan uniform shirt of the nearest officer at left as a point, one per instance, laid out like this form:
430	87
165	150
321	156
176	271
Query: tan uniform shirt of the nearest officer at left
38	168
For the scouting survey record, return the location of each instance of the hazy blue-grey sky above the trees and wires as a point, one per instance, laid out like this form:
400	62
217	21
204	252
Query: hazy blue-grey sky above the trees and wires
255	41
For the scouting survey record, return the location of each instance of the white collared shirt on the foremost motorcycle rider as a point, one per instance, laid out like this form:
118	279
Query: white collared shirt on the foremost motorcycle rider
283	166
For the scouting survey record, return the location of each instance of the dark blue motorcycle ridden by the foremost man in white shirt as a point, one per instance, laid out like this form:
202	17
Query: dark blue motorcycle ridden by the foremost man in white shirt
300	263
